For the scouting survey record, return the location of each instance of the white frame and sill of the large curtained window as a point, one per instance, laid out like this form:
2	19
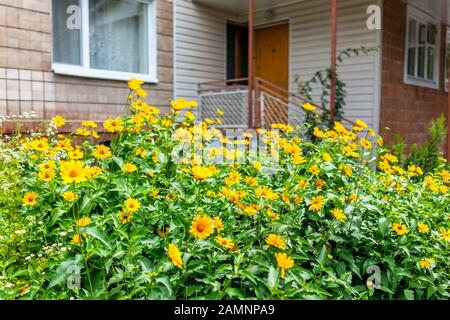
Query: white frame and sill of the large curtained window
84	69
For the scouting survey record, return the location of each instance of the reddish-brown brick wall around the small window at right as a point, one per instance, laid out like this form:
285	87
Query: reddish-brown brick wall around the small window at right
406	109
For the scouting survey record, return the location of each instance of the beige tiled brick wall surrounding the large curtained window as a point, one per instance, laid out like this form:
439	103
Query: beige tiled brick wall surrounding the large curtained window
28	84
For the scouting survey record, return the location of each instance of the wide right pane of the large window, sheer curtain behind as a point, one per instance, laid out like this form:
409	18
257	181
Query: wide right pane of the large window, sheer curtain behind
118	35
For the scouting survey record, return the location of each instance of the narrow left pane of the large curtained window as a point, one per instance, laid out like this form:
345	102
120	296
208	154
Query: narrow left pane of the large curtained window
66	31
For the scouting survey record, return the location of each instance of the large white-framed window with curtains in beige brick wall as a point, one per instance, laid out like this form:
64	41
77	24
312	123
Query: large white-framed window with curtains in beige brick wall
113	39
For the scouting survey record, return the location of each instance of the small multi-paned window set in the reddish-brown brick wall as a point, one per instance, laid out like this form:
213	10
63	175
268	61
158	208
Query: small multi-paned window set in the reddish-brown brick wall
422	49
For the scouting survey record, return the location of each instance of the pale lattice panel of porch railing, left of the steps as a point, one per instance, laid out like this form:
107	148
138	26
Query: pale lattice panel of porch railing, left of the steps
234	104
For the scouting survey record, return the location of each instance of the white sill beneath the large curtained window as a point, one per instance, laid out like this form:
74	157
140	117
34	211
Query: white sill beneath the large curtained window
78	71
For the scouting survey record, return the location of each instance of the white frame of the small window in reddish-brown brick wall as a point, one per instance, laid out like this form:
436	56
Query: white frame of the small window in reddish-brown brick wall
422	17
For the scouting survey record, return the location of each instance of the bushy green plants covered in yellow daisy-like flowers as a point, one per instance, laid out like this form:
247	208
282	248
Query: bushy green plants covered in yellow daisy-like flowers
134	221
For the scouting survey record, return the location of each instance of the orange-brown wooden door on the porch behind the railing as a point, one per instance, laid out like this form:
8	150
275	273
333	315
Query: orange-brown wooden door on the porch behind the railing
272	64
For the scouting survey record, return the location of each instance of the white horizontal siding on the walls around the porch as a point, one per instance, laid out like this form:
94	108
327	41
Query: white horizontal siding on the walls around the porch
200	48
